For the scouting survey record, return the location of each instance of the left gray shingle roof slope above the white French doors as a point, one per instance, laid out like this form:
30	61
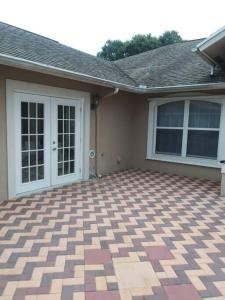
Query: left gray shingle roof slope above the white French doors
26	45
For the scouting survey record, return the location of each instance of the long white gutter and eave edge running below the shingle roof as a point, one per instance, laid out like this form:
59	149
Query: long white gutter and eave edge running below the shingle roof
50	70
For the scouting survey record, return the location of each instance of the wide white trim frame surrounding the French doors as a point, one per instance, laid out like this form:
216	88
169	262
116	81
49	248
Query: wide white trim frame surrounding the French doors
13	87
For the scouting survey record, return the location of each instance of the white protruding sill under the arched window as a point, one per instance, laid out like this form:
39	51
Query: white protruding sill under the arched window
187	161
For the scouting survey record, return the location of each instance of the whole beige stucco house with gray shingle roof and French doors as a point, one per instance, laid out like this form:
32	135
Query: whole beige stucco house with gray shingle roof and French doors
66	115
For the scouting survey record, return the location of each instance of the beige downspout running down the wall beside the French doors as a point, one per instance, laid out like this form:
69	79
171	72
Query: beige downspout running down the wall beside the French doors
97	128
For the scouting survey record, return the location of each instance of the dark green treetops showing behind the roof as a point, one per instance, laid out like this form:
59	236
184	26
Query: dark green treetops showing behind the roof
116	49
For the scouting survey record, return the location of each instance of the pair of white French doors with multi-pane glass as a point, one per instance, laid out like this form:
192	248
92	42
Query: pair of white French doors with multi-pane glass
47	140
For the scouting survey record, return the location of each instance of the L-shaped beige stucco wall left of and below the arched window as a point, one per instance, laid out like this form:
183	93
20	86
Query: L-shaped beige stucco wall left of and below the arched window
140	130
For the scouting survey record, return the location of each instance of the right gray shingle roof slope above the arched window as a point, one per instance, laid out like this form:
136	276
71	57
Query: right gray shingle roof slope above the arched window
170	65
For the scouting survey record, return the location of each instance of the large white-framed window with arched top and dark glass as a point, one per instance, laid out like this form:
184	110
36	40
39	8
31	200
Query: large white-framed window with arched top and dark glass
185	131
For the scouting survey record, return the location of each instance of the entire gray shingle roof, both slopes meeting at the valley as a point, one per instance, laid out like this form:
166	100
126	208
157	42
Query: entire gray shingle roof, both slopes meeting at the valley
166	66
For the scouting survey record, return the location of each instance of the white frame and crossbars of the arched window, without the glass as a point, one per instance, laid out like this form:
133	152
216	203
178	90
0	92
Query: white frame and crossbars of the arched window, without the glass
152	126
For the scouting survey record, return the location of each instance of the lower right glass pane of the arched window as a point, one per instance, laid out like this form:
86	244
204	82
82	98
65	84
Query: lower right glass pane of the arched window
202	143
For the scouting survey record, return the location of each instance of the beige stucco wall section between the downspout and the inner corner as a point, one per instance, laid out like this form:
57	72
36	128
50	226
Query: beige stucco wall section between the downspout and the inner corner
114	130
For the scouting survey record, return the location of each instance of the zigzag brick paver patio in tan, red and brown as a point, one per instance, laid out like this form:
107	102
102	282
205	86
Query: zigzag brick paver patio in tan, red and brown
133	235
